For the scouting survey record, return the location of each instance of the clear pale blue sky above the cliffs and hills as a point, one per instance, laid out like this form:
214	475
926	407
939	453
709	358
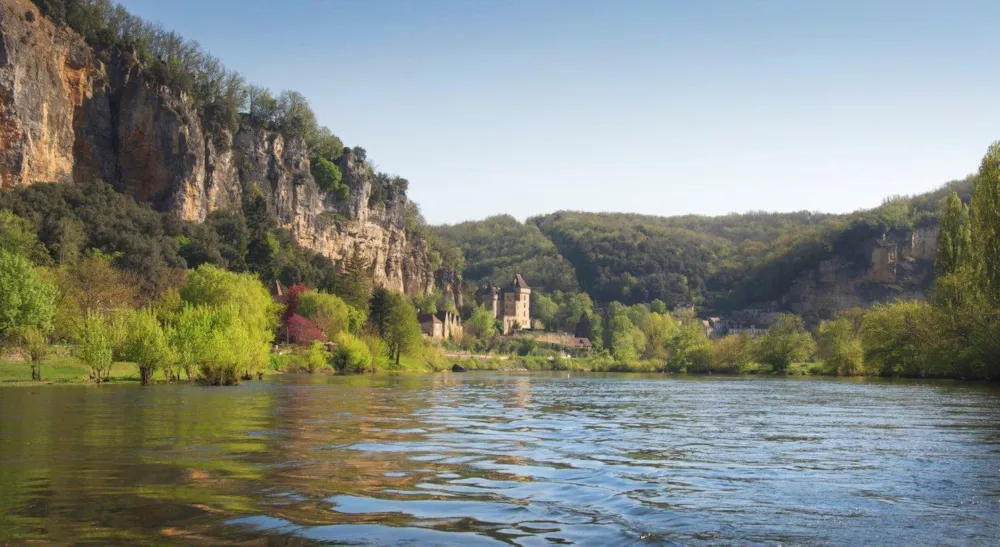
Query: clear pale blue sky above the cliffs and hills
661	107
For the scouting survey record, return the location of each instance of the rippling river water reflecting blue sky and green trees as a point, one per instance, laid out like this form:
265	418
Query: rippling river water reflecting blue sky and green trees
490	459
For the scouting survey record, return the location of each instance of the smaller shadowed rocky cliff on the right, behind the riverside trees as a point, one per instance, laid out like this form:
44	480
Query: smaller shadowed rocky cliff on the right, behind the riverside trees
901	268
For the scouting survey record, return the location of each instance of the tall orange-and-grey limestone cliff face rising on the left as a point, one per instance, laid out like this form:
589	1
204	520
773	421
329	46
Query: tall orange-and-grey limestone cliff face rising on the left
66	115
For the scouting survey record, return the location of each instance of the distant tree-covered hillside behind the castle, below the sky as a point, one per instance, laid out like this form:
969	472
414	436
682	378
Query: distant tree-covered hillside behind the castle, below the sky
719	262
